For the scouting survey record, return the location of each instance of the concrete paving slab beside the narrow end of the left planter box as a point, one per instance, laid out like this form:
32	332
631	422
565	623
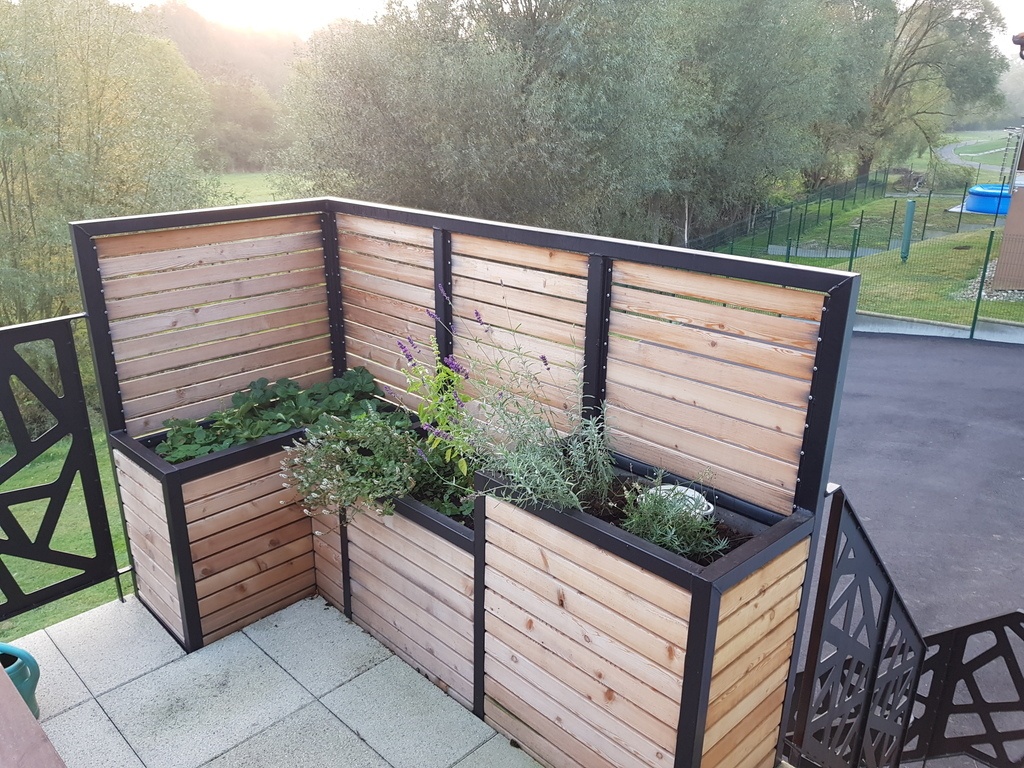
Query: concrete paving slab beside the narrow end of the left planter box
115	644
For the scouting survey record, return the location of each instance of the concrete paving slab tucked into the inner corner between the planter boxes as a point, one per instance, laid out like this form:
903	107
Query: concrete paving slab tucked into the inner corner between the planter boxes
317	645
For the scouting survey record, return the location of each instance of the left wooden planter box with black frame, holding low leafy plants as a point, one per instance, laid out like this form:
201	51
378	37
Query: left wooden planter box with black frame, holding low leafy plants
218	542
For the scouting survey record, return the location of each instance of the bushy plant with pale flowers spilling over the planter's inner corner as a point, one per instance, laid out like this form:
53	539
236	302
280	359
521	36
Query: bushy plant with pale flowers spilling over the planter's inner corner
345	466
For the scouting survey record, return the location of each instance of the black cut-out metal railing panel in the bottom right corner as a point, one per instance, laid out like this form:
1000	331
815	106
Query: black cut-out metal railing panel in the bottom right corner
971	698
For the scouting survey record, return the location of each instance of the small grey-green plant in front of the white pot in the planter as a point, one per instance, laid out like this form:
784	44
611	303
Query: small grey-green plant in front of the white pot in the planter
674	522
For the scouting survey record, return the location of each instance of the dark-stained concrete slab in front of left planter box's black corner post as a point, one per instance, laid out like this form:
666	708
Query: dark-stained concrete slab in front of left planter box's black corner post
191	711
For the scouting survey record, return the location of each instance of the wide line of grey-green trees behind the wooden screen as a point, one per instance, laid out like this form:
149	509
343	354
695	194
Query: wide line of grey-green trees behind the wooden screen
653	120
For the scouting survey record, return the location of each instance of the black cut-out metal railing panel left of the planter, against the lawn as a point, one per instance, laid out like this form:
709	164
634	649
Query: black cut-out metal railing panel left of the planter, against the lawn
71	418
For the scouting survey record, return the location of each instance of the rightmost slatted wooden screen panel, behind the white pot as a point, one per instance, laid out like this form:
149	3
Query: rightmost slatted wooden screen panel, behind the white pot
714	372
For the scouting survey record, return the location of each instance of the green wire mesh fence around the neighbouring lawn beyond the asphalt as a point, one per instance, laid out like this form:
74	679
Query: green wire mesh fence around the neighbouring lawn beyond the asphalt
921	257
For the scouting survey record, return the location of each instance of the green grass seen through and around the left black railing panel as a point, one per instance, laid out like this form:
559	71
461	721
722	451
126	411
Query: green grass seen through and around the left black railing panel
73	535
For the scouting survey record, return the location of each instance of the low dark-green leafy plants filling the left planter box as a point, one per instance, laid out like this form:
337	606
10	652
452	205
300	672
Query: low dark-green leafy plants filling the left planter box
268	409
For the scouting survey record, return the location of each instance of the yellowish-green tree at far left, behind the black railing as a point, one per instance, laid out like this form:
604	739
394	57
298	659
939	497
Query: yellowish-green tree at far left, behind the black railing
97	119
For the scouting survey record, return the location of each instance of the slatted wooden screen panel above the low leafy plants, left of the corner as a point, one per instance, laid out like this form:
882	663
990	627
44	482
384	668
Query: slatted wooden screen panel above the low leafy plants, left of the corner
197	314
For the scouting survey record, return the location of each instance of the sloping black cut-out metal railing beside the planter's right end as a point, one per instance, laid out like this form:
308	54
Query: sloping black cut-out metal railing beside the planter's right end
855	698
